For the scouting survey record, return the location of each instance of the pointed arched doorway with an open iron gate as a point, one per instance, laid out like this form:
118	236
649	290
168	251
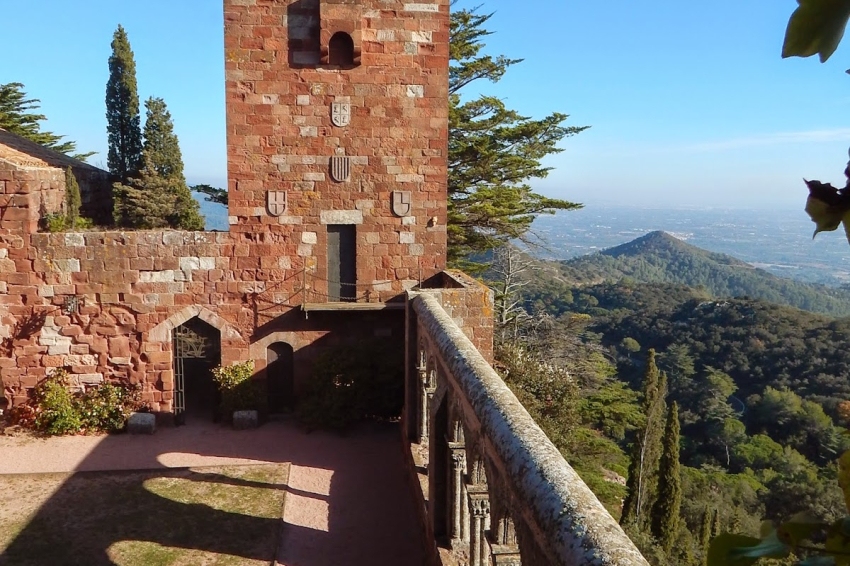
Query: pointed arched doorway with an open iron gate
197	349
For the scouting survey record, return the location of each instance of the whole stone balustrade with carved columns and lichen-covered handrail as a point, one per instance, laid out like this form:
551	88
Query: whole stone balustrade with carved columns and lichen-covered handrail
498	491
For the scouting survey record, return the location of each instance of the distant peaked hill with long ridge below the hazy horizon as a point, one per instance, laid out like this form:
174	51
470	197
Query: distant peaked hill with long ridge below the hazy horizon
659	257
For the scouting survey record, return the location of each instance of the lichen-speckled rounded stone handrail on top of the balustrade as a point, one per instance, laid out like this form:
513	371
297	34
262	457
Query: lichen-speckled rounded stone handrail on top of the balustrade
568	522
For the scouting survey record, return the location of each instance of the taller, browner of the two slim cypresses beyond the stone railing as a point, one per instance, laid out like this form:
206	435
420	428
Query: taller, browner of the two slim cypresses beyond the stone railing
646	448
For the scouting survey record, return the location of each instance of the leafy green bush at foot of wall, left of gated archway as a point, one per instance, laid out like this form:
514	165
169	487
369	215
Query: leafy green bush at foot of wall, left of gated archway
54	409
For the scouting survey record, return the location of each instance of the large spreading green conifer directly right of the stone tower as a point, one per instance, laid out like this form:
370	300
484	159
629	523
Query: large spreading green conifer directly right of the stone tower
493	151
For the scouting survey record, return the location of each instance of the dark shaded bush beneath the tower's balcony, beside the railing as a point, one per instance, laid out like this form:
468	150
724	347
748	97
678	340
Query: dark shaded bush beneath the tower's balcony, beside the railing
353	382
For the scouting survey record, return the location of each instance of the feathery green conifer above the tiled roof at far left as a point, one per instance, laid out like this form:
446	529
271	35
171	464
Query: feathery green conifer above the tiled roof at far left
17	117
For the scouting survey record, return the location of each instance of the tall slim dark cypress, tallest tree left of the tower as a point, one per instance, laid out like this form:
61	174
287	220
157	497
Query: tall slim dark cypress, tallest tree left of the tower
122	110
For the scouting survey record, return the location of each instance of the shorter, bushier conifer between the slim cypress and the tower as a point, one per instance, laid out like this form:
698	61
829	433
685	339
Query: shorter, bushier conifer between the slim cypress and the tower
158	196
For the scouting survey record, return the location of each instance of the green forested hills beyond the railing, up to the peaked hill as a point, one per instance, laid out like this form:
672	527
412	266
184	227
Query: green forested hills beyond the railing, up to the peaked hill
763	390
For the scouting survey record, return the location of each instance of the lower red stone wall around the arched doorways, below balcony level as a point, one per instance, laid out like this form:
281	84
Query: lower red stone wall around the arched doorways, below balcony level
131	289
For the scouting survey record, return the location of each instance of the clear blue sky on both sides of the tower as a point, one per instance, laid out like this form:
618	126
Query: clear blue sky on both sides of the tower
690	103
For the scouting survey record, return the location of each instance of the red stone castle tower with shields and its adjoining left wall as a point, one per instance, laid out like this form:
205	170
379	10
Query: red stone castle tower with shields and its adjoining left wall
336	117
